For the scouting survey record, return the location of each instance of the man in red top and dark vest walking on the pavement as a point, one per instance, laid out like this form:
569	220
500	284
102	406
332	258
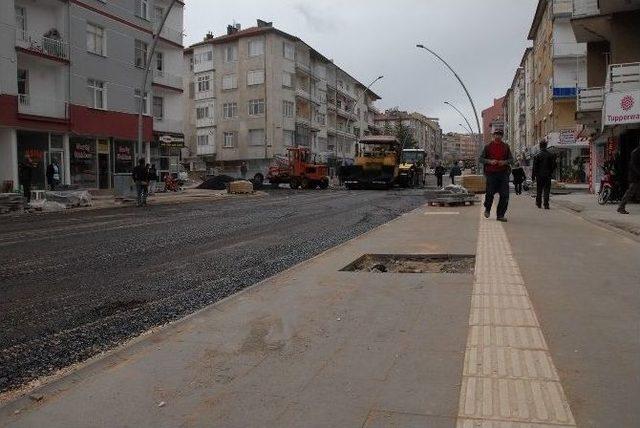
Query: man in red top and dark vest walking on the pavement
497	159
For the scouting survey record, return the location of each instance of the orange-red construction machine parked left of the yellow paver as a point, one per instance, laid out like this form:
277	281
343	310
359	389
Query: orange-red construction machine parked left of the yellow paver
298	168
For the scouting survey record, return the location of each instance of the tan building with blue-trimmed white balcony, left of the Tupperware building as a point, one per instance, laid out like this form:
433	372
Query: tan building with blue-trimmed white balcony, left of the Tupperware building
559	69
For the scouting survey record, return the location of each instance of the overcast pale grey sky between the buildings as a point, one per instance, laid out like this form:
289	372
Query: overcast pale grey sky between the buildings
483	40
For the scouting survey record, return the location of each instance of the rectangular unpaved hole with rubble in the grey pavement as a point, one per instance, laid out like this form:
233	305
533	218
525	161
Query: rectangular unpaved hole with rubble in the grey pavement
413	263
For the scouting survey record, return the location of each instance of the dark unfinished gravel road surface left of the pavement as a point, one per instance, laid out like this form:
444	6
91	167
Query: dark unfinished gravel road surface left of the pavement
78	283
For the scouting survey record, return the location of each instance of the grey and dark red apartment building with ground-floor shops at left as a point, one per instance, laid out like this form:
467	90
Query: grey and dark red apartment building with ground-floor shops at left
70	85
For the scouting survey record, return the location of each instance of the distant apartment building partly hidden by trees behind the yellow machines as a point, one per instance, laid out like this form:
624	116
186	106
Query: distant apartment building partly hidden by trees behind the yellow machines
426	131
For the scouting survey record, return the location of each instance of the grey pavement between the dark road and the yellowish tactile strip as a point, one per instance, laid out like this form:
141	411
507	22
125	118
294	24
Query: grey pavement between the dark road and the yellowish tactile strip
312	346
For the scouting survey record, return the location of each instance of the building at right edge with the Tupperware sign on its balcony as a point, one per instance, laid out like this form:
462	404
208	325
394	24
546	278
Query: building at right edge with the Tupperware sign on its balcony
608	108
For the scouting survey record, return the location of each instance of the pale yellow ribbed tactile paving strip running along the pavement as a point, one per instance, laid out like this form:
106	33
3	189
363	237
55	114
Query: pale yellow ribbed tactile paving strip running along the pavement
509	379
